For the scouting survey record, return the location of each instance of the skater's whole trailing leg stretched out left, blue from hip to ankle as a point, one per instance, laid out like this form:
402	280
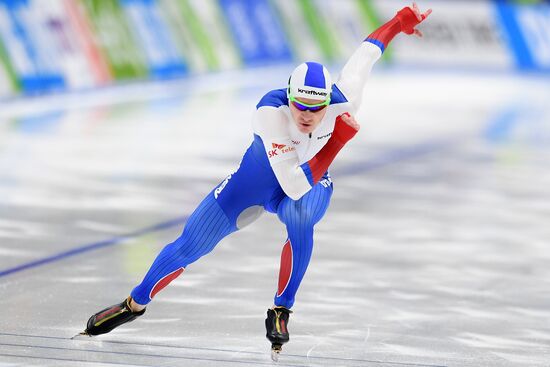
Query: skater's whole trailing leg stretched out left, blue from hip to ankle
233	204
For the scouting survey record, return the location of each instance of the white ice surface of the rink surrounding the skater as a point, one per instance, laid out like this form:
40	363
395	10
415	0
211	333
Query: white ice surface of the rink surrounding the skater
435	250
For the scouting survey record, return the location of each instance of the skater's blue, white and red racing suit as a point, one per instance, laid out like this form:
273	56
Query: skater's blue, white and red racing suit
284	171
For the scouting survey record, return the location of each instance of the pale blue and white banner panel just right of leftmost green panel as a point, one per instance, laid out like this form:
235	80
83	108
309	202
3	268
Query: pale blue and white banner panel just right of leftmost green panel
151	31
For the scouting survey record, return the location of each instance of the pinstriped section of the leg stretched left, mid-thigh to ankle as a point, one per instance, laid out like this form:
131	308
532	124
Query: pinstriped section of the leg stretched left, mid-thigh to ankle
207	226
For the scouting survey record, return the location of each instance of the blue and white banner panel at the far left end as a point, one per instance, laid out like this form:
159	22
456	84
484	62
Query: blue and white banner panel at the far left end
25	37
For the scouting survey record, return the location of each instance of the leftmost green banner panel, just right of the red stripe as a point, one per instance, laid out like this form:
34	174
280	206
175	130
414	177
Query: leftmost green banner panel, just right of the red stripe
115	39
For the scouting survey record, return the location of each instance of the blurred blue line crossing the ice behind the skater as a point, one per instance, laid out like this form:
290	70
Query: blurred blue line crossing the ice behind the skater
384	159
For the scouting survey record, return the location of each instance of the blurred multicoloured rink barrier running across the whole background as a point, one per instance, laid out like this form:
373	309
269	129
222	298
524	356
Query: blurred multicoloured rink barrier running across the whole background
67	45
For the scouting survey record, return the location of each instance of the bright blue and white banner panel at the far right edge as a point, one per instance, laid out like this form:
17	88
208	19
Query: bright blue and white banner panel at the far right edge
527	31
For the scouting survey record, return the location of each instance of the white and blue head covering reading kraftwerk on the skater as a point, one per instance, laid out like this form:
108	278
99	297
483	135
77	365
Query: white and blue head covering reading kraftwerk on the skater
310	80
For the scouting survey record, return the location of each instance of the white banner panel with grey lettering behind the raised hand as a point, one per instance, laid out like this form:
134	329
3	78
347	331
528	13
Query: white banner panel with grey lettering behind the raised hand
473	39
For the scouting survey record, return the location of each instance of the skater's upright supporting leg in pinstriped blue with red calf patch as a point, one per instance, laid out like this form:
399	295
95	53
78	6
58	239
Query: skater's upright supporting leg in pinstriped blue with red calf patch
299	217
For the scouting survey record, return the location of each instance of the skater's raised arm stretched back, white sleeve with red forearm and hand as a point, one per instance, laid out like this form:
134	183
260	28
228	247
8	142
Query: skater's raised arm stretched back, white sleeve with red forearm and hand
356	71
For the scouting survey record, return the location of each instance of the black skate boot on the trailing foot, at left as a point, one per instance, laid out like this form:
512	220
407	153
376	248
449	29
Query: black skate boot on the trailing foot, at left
111	317
